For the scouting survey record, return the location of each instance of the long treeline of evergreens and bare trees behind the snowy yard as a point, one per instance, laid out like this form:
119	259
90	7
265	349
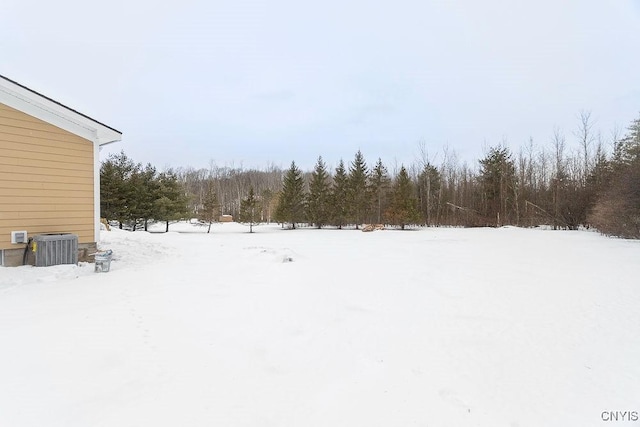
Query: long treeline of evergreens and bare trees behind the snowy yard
594	183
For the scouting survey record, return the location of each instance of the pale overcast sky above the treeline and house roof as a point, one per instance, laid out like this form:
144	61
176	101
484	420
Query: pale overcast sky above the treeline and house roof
258	82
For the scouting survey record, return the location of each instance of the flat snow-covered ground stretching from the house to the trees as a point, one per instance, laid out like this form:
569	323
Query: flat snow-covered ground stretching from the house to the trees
431	327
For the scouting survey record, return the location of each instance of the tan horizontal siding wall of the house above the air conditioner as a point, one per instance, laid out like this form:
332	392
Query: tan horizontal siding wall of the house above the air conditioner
46	179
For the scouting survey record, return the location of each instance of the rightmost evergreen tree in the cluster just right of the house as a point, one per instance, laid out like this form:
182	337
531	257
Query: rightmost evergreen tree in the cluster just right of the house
172	203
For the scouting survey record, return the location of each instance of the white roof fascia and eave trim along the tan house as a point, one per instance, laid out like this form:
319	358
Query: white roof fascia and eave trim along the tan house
33	104
